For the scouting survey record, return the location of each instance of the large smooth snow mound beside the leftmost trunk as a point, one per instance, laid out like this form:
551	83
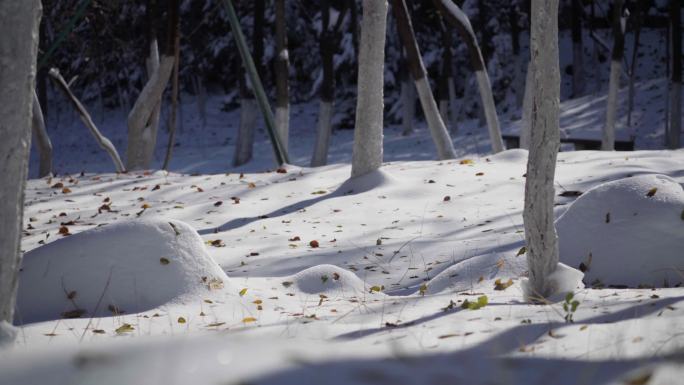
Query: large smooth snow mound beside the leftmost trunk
127	267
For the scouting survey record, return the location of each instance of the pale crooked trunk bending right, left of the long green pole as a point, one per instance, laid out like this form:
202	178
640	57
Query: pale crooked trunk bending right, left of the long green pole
140	135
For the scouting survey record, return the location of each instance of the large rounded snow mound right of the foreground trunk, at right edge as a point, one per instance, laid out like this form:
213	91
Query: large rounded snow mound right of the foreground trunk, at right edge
626	232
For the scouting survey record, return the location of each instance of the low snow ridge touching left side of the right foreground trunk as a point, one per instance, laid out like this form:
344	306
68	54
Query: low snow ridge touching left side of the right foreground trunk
465	275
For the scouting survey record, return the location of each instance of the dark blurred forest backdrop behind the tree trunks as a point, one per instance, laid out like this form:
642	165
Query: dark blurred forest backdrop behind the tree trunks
109	44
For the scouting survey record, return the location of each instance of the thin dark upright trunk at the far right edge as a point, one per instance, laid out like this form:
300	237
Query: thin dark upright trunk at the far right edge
676	87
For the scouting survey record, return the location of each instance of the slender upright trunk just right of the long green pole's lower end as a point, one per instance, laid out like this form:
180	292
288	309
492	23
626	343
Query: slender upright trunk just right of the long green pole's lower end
282	71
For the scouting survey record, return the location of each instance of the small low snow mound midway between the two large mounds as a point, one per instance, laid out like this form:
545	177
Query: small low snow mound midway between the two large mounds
328	279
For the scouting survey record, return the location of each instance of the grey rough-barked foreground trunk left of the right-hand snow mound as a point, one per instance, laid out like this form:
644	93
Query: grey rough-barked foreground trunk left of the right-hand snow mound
540	233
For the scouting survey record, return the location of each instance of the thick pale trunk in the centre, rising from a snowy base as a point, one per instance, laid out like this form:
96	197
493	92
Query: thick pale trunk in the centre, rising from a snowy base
367	152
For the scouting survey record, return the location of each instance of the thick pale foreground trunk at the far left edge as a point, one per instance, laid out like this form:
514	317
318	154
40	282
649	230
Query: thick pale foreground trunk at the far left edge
18	49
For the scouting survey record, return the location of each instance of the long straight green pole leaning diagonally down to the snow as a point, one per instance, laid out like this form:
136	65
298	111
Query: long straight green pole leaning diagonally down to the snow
280	152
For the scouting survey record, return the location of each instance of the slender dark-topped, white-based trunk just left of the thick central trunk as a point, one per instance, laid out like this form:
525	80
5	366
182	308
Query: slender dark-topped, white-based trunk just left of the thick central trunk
327	102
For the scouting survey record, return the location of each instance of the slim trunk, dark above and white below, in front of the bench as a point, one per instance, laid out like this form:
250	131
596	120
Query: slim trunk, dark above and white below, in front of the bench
608	140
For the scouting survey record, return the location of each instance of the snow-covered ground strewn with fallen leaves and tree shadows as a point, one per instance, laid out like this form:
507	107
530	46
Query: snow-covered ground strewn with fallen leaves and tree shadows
409	275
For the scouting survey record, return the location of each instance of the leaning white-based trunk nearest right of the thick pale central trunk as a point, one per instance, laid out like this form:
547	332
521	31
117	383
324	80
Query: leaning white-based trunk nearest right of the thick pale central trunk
440	135
